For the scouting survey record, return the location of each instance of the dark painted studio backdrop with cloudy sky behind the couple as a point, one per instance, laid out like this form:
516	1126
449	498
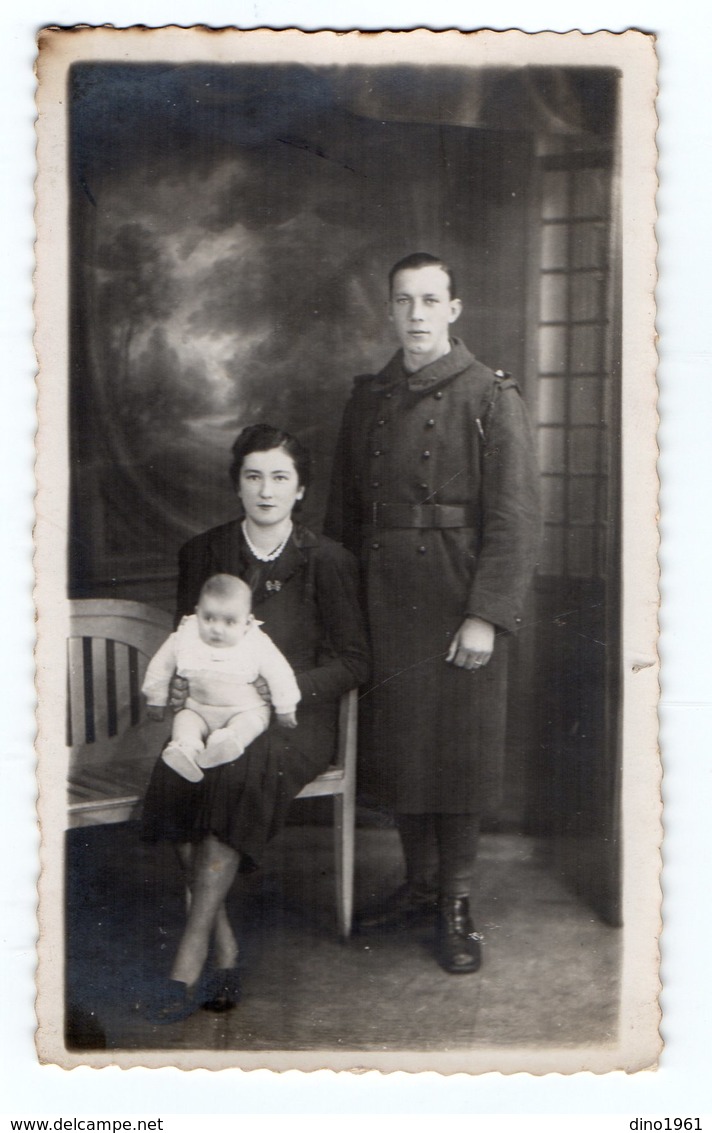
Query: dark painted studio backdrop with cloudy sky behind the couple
232	231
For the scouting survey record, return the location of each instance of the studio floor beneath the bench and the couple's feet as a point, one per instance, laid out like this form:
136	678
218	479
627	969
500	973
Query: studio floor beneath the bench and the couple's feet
550	975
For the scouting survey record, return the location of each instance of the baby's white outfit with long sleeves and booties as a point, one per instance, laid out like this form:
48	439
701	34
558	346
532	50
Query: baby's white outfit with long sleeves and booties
224	708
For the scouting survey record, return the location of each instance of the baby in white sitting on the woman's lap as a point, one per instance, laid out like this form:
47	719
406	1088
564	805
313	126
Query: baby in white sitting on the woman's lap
221	651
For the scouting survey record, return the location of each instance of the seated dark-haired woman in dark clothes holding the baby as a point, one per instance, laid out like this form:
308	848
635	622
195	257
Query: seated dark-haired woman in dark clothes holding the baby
306	594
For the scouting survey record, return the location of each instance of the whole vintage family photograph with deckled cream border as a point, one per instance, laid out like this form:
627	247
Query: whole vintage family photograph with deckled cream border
346	551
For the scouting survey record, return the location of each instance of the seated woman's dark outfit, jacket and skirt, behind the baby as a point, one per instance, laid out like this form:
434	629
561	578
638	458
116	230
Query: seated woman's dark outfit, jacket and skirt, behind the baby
308	601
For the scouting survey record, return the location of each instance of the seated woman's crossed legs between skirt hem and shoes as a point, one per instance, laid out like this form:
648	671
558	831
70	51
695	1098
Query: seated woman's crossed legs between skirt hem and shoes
214	872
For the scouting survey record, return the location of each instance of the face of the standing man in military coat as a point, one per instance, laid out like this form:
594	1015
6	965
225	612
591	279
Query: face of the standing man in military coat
422	312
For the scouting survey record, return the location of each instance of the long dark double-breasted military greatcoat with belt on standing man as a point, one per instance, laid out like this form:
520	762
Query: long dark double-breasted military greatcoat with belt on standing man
436	491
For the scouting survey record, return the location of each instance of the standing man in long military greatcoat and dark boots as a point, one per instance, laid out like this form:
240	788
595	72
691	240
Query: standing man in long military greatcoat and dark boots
436	491
